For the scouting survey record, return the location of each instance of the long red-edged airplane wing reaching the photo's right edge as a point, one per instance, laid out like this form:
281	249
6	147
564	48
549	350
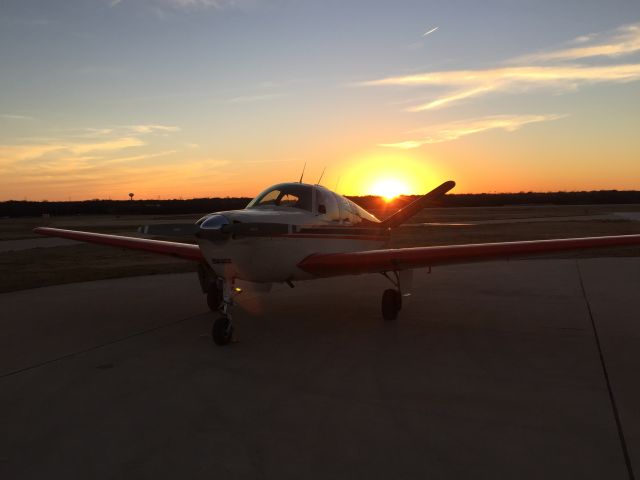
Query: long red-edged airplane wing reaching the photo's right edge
373	261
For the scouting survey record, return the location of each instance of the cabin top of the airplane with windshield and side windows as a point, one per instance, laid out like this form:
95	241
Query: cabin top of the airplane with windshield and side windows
315	199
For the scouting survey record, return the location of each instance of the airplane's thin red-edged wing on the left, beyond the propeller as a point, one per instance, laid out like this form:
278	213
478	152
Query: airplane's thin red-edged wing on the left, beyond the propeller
175	249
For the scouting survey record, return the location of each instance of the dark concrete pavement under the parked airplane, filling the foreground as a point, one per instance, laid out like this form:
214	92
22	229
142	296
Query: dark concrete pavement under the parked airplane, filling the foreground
492	371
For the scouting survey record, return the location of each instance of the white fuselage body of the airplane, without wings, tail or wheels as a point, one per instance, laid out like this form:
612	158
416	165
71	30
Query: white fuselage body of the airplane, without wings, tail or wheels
285	235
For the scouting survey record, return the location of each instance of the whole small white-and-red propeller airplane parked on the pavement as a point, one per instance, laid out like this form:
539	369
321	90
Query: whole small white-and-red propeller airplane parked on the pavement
298	231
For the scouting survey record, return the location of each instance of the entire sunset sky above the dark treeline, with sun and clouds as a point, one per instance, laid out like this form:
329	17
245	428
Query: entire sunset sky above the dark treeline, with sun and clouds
202	98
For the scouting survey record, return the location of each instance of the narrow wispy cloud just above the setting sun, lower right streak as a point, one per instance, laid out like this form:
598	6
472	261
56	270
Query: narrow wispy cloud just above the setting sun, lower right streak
454	130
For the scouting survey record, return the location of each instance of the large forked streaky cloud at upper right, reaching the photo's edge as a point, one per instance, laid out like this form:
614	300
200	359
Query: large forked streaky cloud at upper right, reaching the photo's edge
531	72
